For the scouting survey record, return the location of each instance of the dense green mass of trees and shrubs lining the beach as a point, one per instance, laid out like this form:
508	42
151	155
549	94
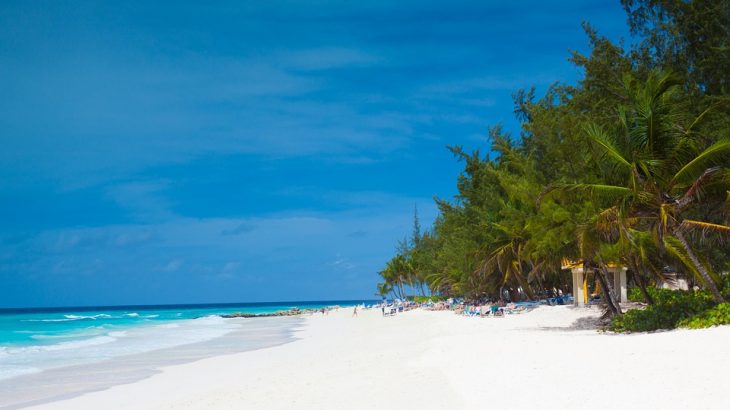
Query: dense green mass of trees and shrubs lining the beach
629	166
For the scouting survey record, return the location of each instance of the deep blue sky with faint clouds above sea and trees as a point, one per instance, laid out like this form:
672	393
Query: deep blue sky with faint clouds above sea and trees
227	151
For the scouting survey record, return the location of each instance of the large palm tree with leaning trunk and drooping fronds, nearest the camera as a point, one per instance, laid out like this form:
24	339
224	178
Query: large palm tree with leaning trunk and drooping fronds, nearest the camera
658	171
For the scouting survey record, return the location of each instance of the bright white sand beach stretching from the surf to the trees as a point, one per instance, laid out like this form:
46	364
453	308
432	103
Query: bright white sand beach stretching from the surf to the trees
438	360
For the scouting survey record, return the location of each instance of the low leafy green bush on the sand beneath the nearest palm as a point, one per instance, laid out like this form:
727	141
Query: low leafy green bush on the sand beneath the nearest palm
671	307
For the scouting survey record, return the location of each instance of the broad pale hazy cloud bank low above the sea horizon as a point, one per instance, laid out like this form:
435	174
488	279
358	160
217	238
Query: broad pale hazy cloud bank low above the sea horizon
288	253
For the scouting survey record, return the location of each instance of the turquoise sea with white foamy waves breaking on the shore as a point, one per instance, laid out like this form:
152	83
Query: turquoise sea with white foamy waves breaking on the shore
34	340
